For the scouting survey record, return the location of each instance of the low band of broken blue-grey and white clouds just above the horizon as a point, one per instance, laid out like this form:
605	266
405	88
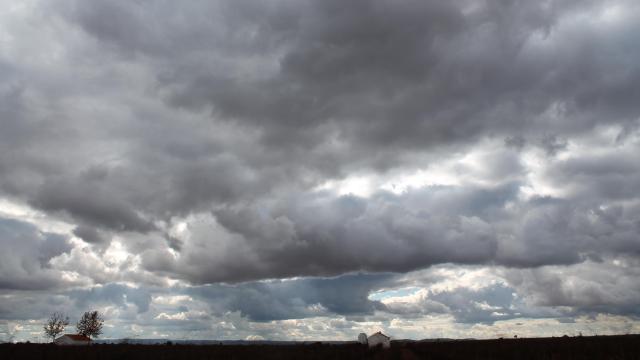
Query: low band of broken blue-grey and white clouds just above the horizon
343	304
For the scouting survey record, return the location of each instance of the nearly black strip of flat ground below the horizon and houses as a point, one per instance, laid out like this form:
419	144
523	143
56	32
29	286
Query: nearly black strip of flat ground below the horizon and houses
588	347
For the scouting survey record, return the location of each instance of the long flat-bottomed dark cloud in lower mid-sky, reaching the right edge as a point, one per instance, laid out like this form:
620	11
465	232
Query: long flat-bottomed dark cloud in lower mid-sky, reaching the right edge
328	235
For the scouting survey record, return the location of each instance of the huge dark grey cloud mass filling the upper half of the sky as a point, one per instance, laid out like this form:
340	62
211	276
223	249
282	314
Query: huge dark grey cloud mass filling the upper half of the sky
346	86
